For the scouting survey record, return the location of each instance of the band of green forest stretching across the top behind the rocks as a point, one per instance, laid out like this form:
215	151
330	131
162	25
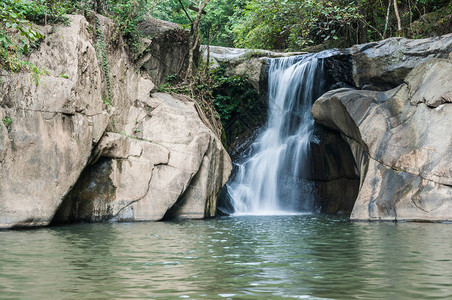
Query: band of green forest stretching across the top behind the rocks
268	24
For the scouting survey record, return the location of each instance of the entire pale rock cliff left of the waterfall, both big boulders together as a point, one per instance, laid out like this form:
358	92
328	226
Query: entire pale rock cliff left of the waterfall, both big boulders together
66	155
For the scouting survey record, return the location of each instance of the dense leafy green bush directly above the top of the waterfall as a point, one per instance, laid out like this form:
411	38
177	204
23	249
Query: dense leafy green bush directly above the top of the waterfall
293	24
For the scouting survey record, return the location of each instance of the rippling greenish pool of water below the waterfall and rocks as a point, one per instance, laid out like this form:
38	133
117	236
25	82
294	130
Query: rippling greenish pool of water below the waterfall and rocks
304	256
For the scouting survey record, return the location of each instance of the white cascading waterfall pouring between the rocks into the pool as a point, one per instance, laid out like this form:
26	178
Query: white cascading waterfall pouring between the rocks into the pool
271	180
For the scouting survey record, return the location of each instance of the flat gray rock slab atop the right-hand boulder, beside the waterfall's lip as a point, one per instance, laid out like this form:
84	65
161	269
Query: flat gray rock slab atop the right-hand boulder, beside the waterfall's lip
384	65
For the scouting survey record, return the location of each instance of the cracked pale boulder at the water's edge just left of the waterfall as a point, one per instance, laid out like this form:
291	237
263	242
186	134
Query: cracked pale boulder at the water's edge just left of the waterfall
166	164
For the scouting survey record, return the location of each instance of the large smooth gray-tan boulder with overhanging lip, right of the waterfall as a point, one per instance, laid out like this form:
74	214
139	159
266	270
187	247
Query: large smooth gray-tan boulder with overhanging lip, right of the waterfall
401	143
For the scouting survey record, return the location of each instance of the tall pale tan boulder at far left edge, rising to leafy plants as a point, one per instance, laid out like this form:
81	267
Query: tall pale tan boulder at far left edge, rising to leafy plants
49	127
